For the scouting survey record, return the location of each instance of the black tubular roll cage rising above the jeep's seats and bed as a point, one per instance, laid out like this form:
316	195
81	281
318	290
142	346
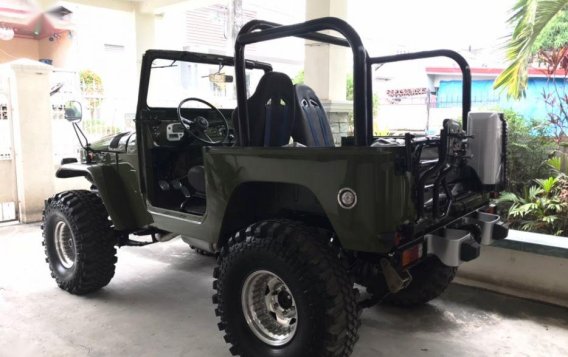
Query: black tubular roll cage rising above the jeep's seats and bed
259	31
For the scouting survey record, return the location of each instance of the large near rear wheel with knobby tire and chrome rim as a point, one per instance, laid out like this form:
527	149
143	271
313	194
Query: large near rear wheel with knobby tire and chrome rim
281	291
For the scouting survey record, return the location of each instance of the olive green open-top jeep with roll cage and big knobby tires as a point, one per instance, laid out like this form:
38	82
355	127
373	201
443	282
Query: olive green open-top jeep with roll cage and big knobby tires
250	172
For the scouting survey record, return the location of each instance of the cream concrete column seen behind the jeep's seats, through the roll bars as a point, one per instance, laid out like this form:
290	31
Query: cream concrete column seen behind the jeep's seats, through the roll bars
326	68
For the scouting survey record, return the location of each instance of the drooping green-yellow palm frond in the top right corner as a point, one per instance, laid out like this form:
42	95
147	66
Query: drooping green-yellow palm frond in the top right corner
529	19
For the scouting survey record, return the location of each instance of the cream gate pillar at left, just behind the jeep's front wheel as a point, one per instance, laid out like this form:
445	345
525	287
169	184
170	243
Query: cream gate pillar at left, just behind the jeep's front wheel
33	143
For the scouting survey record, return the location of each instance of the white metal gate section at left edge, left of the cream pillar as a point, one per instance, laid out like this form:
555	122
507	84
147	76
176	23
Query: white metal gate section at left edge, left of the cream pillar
8	188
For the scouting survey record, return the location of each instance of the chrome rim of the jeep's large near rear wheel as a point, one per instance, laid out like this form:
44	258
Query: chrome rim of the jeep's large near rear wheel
269	308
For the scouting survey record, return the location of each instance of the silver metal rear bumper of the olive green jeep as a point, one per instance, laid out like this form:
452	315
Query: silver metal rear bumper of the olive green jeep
461	241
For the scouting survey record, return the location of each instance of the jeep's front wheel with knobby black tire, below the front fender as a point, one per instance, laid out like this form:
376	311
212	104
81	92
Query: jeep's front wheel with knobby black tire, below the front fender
79	241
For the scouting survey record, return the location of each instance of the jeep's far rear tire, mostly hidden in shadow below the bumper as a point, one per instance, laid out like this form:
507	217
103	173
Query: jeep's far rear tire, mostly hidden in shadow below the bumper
429	280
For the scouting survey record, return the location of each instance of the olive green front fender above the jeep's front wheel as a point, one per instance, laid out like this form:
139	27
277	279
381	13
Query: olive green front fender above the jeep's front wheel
119	189
